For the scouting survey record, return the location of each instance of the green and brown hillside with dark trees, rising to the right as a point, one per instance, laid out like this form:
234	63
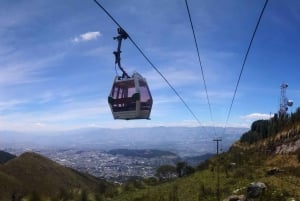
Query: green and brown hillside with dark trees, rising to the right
268	153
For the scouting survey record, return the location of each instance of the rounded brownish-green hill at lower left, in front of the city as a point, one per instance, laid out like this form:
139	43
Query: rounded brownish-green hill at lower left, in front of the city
32	174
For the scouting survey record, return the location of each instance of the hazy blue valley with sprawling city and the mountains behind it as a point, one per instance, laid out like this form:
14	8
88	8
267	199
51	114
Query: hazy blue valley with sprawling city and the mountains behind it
118	155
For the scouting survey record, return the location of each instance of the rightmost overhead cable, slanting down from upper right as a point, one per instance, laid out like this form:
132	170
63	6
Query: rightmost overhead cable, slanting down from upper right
244	62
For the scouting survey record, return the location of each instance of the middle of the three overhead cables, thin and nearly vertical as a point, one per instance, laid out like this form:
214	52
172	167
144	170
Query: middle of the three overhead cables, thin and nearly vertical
200	63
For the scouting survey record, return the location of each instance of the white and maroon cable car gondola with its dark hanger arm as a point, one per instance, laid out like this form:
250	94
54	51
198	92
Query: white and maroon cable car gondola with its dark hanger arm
130	97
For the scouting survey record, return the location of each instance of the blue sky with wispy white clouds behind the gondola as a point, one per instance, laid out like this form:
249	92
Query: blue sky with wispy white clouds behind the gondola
57	65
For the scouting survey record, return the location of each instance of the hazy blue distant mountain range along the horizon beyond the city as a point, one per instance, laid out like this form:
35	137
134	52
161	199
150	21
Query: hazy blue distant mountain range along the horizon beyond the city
184	141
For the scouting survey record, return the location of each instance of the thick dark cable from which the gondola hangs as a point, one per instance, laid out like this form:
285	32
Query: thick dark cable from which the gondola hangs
152	65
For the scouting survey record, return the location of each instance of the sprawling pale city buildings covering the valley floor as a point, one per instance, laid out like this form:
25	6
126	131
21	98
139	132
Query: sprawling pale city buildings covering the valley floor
111	165
